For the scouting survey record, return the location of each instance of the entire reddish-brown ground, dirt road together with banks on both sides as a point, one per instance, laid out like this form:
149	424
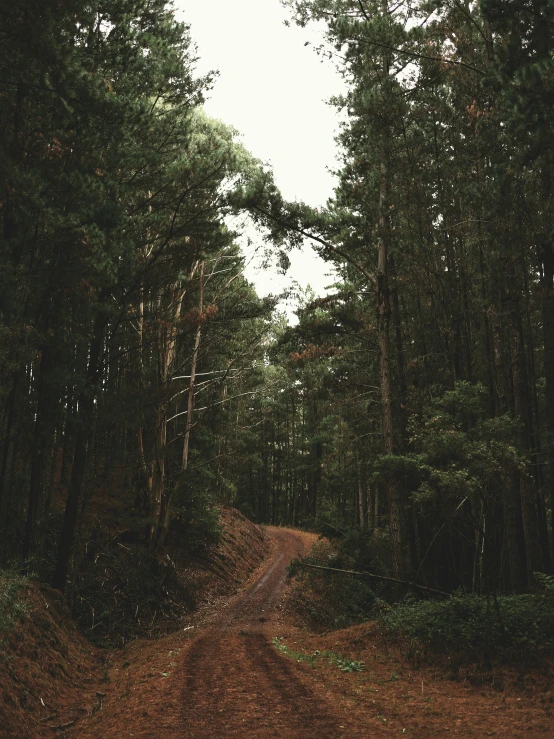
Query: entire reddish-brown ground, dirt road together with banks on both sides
240	668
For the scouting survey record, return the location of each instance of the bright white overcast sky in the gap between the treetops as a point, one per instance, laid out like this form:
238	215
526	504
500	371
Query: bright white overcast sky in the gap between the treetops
272	88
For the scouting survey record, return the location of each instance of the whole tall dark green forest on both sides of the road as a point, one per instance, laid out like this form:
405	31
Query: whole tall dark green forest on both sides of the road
144	384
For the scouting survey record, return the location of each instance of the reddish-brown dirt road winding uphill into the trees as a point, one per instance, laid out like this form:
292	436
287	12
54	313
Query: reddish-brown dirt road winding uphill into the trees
225	679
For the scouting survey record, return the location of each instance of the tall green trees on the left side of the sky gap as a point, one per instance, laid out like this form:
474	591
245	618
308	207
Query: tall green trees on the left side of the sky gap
124	193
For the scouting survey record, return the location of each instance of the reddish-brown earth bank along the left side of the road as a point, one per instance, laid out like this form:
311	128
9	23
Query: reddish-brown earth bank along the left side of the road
51	676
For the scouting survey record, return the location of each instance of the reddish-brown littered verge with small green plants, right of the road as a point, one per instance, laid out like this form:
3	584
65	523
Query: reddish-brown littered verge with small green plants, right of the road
391	695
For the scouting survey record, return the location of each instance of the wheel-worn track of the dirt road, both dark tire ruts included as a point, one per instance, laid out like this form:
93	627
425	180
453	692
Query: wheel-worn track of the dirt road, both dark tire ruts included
236	684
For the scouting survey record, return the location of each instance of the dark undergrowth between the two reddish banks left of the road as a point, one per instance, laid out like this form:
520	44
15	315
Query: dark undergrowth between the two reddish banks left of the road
123	588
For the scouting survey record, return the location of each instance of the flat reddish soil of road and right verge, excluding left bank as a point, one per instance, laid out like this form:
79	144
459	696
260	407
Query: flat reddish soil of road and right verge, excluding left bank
220	676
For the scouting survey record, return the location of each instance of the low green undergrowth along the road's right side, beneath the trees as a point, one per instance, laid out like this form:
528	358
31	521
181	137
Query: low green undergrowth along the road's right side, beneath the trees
462	628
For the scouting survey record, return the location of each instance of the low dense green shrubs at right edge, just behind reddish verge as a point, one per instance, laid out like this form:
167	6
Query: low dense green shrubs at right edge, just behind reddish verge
512	626
